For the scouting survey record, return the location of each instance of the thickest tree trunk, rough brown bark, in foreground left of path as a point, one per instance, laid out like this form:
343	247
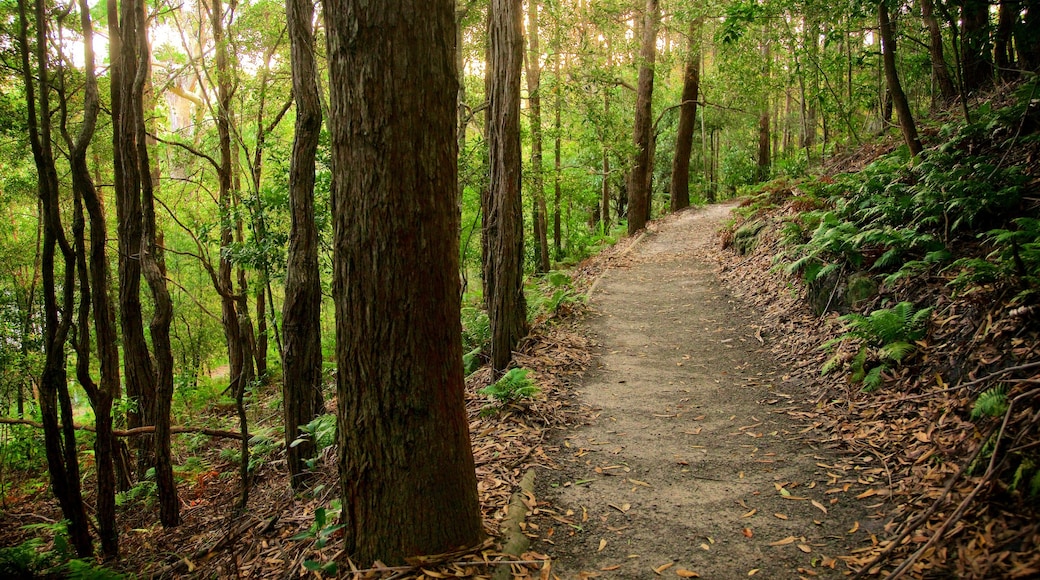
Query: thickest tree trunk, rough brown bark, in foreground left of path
406	463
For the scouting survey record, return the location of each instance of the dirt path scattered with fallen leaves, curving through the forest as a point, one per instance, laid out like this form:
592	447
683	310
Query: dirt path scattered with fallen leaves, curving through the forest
692	460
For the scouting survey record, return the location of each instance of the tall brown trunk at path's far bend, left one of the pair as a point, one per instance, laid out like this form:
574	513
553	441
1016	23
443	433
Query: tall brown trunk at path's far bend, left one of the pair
639	192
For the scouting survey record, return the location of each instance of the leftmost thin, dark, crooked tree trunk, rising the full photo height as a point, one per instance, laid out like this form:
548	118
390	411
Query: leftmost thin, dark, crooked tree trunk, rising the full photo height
60	438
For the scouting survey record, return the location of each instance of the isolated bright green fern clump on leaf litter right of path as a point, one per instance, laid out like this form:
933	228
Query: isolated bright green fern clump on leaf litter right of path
886	338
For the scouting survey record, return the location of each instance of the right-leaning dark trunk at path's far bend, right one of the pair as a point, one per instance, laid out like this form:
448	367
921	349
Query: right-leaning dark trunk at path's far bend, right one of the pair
688	121
